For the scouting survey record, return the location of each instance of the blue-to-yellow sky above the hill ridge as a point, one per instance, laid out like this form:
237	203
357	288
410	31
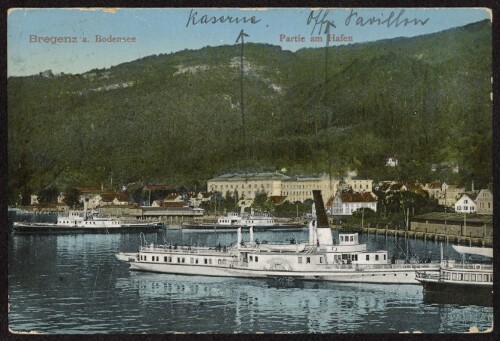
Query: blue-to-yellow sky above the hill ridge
64	40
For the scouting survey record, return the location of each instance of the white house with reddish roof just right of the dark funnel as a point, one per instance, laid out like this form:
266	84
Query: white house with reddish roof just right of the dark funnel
345	203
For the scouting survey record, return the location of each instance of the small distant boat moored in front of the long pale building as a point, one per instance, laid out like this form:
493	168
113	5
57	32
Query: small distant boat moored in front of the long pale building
232	221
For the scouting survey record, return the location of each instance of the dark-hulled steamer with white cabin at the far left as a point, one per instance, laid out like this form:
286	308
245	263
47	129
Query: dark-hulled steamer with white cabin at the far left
84	222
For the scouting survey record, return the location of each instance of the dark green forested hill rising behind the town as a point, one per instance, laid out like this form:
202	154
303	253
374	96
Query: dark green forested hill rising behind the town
176	117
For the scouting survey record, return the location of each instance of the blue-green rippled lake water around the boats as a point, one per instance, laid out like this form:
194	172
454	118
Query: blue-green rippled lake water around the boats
72	284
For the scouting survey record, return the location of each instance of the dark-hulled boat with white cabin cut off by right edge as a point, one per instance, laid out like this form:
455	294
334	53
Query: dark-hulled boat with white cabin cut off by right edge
463	279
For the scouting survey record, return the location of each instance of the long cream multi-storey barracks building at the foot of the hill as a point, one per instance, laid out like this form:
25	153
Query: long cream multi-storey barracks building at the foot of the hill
294	188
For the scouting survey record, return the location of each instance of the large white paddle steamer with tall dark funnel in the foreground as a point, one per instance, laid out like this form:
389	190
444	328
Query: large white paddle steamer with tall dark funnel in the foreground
317	259
